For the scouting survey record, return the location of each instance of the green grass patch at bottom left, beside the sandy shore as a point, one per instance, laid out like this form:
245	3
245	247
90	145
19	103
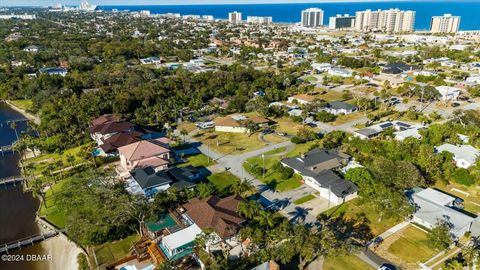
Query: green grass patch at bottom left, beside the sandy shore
114	251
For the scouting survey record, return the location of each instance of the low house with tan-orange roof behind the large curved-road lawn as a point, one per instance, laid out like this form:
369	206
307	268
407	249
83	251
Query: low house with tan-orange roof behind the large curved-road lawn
239	123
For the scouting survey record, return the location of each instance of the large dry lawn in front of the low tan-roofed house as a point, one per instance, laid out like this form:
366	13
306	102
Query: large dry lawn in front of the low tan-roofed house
229	142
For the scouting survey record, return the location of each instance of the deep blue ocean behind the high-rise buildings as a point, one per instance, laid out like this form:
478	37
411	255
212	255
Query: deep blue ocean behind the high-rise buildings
290	13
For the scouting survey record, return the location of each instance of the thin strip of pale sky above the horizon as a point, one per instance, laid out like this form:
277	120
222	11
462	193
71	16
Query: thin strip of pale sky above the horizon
163	2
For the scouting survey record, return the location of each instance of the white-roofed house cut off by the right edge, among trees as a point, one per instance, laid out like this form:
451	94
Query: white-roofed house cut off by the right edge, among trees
463	155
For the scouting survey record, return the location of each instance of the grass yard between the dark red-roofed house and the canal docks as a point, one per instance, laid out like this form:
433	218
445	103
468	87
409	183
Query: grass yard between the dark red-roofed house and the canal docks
42	162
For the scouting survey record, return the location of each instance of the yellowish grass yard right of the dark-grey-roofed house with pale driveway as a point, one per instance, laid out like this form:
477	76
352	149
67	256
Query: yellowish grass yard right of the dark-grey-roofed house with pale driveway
355	208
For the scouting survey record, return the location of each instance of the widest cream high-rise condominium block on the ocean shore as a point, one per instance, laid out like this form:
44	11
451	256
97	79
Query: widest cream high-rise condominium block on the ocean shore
392	20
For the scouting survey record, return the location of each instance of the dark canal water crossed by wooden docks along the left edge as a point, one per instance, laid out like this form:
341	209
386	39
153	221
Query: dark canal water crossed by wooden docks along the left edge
17	209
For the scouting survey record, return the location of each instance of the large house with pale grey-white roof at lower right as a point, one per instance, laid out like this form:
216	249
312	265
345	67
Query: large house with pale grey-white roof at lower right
433	206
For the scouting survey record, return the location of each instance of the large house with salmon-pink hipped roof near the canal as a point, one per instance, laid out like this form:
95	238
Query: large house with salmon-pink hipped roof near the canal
143	154
